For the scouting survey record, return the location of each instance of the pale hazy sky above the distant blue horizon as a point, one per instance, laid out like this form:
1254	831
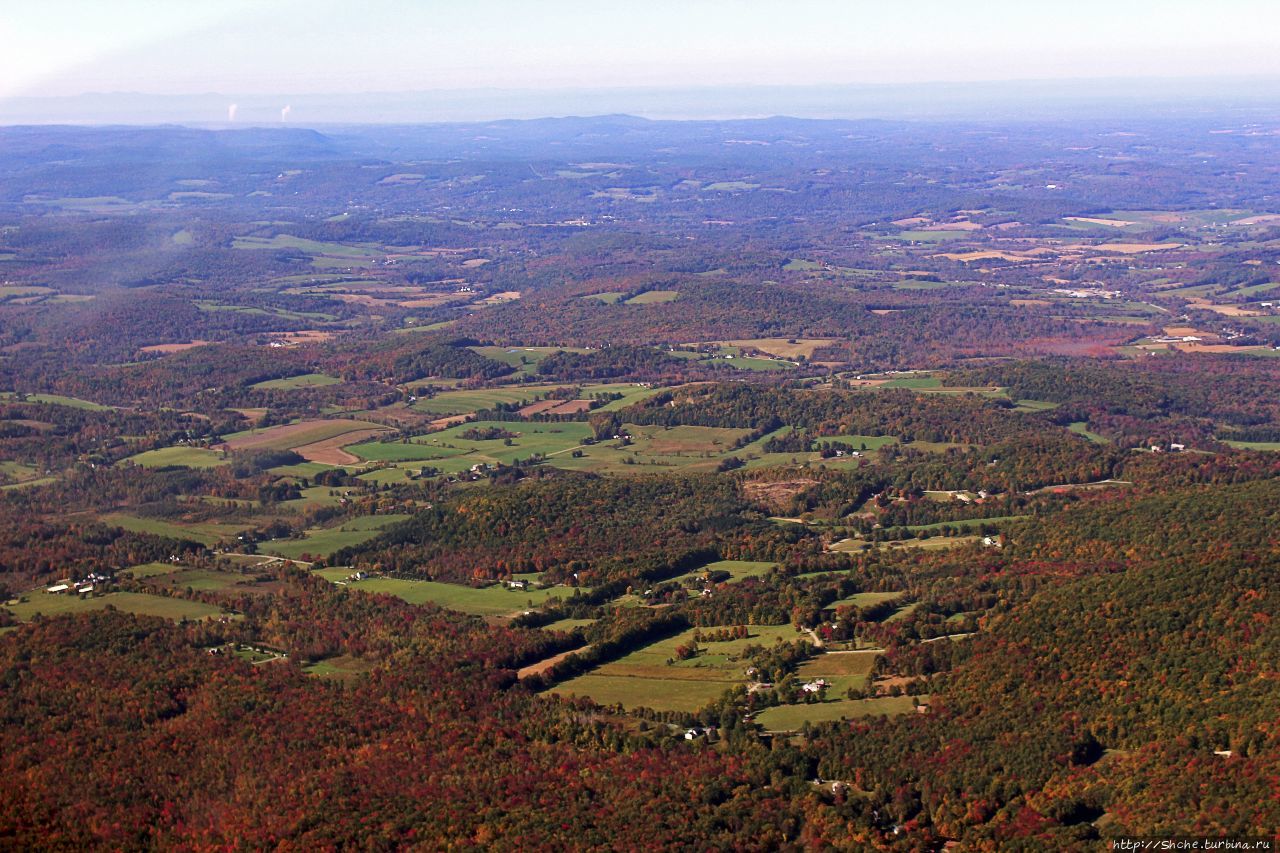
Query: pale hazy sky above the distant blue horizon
282	47
